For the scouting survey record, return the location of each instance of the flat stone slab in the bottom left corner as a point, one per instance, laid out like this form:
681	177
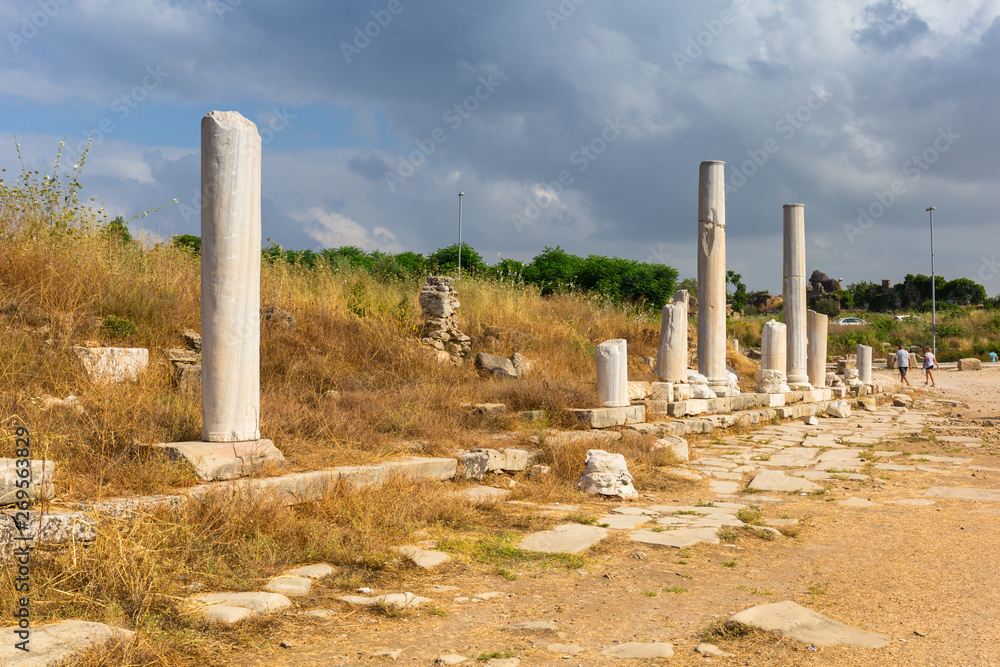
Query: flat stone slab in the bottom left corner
55	643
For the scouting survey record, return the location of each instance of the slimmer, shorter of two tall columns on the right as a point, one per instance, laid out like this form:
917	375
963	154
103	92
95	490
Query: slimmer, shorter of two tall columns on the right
794	295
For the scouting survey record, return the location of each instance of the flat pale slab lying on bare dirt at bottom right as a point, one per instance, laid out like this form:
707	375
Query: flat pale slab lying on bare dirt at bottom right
807	626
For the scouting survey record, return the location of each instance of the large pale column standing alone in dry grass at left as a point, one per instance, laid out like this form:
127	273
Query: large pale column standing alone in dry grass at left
230	277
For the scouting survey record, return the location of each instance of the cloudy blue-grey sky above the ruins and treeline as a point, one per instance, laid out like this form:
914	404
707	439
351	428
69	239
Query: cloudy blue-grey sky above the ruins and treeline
578	123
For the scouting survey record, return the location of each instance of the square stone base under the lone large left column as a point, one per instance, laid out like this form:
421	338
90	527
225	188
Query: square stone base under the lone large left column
224	460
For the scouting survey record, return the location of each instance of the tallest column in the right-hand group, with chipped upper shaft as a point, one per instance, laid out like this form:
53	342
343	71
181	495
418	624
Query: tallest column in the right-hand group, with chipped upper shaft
712	276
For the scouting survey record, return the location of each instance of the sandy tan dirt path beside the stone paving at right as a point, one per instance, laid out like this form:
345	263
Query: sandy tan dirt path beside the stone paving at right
890	568
